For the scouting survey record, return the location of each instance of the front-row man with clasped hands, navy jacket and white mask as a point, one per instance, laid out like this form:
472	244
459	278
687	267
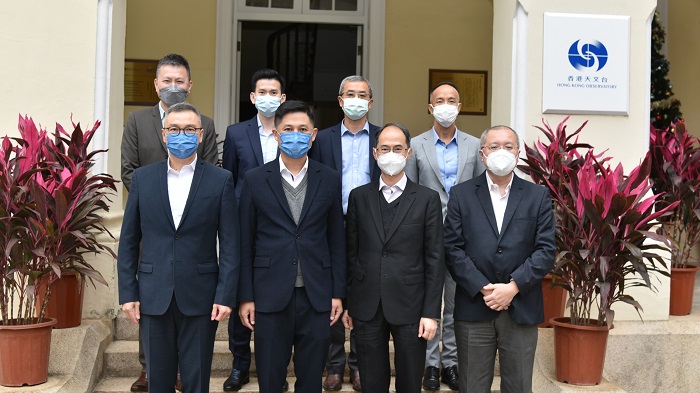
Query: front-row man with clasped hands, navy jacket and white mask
499	242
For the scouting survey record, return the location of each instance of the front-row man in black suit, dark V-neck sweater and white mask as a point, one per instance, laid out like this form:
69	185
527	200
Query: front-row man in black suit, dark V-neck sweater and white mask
397	270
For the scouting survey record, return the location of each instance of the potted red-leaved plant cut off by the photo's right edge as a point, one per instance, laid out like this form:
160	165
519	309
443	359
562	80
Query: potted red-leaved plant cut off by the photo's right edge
676	177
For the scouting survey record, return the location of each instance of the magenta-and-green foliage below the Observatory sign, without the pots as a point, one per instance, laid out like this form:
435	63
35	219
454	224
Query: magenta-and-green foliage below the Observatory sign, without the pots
603	221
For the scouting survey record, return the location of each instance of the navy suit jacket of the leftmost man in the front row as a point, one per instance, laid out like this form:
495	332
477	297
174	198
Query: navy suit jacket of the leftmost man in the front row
179	262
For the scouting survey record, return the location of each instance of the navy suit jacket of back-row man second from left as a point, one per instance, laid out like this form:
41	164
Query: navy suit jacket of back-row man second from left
242	151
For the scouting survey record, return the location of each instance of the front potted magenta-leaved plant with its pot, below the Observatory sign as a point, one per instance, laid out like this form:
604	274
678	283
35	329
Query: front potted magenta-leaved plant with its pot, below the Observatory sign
603	221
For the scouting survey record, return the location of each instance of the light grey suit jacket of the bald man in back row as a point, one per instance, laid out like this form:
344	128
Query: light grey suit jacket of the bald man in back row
422	167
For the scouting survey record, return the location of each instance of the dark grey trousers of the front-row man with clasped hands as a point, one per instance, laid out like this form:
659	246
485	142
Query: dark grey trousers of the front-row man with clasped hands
477	343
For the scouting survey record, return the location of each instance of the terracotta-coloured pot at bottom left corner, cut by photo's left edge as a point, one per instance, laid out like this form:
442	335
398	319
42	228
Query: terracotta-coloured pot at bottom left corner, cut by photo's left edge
24	353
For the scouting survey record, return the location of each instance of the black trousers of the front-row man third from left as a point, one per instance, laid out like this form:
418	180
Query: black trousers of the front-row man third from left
373	354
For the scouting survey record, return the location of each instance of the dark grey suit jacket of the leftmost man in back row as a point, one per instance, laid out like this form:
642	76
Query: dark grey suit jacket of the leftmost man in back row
142	142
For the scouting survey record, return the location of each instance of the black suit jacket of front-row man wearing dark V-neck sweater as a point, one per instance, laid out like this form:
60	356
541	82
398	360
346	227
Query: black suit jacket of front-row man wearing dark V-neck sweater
404	270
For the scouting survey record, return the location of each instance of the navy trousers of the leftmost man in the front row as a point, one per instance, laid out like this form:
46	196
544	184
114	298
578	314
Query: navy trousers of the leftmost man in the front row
174	339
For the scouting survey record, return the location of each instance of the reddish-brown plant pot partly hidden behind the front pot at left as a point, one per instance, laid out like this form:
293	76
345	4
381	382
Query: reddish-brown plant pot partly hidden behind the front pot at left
66	301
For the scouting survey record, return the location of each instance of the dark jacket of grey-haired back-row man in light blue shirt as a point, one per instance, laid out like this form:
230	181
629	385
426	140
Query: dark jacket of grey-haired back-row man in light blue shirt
328	150
